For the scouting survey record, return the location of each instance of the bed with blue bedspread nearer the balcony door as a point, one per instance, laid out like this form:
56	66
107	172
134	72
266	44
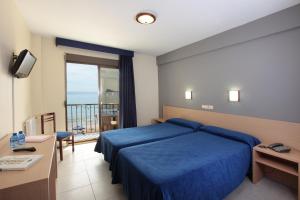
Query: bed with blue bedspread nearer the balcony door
110	142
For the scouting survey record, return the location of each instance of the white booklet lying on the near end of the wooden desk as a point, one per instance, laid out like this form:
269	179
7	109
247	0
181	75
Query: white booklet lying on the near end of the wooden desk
20	162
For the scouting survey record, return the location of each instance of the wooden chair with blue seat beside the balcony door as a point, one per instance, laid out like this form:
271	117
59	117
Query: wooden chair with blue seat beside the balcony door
60	135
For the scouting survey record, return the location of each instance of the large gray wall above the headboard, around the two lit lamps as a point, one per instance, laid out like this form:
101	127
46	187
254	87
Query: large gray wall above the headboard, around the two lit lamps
266	70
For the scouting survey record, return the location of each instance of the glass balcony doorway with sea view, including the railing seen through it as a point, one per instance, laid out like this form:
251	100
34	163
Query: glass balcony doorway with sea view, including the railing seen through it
92	98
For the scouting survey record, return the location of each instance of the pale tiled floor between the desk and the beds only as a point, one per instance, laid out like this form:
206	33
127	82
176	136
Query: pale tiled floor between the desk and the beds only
84	175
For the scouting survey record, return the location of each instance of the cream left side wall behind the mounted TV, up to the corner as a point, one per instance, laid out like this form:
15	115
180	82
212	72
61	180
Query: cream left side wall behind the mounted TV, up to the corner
15	36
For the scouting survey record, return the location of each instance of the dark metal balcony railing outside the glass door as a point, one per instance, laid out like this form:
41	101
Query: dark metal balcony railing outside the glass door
85	117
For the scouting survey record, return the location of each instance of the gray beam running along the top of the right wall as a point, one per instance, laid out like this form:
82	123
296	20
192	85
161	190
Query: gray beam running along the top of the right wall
275	23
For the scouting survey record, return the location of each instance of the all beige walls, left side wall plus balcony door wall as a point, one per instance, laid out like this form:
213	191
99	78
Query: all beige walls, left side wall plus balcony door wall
44	90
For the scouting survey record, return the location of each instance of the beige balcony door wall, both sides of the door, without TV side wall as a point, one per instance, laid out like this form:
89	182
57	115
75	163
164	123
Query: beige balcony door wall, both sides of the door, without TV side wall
48	80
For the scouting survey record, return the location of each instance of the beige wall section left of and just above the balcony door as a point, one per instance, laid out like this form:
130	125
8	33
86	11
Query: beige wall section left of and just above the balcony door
48	78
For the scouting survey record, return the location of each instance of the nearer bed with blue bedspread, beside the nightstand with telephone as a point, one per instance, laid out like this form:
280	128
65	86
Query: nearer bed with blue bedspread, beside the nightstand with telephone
205	165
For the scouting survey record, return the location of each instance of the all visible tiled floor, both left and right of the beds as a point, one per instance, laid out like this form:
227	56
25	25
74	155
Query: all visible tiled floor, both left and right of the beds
84	175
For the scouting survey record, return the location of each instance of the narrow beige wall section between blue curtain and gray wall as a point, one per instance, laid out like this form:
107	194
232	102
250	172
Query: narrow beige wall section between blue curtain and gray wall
146	87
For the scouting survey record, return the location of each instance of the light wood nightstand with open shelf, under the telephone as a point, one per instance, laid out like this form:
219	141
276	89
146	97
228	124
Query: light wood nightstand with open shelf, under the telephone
282	167
